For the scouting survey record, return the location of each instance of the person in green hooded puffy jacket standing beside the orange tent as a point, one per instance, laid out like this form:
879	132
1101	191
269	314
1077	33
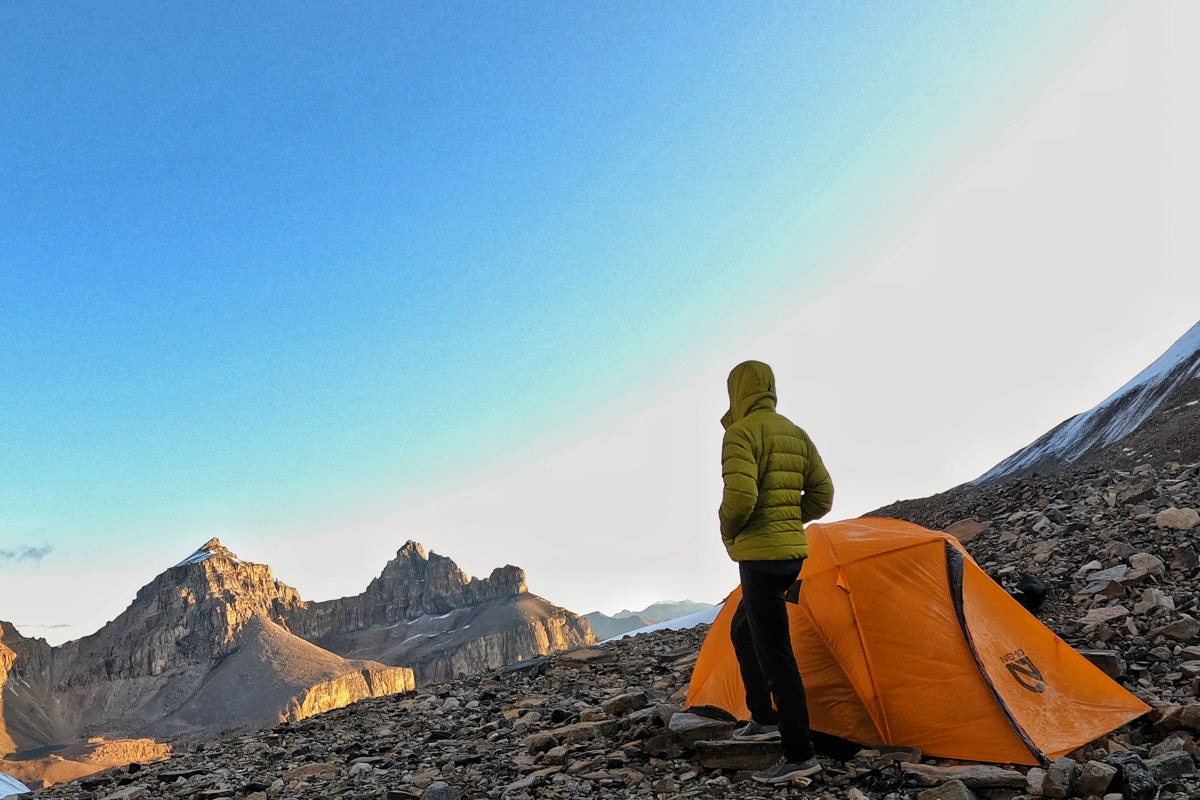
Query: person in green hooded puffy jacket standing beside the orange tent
775	484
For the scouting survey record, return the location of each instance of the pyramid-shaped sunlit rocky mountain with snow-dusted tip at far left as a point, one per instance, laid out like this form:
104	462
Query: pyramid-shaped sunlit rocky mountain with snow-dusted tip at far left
203	648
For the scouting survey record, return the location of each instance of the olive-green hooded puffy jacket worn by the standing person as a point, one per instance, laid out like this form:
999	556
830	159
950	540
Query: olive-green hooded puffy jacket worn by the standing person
775	480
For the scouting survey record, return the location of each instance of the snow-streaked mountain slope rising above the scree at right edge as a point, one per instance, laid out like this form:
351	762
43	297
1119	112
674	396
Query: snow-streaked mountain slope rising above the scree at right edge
1168	387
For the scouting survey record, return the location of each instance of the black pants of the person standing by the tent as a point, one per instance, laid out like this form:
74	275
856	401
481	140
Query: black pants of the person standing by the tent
763	642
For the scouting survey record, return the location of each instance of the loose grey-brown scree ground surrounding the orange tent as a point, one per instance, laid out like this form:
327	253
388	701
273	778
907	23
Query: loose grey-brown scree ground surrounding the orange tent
1117	551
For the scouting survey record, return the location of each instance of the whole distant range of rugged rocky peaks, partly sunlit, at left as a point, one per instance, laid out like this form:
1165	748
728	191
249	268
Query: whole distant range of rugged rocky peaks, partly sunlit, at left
217	645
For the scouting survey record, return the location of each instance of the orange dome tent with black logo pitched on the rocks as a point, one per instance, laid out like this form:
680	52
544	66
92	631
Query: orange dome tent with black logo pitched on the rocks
903	640
